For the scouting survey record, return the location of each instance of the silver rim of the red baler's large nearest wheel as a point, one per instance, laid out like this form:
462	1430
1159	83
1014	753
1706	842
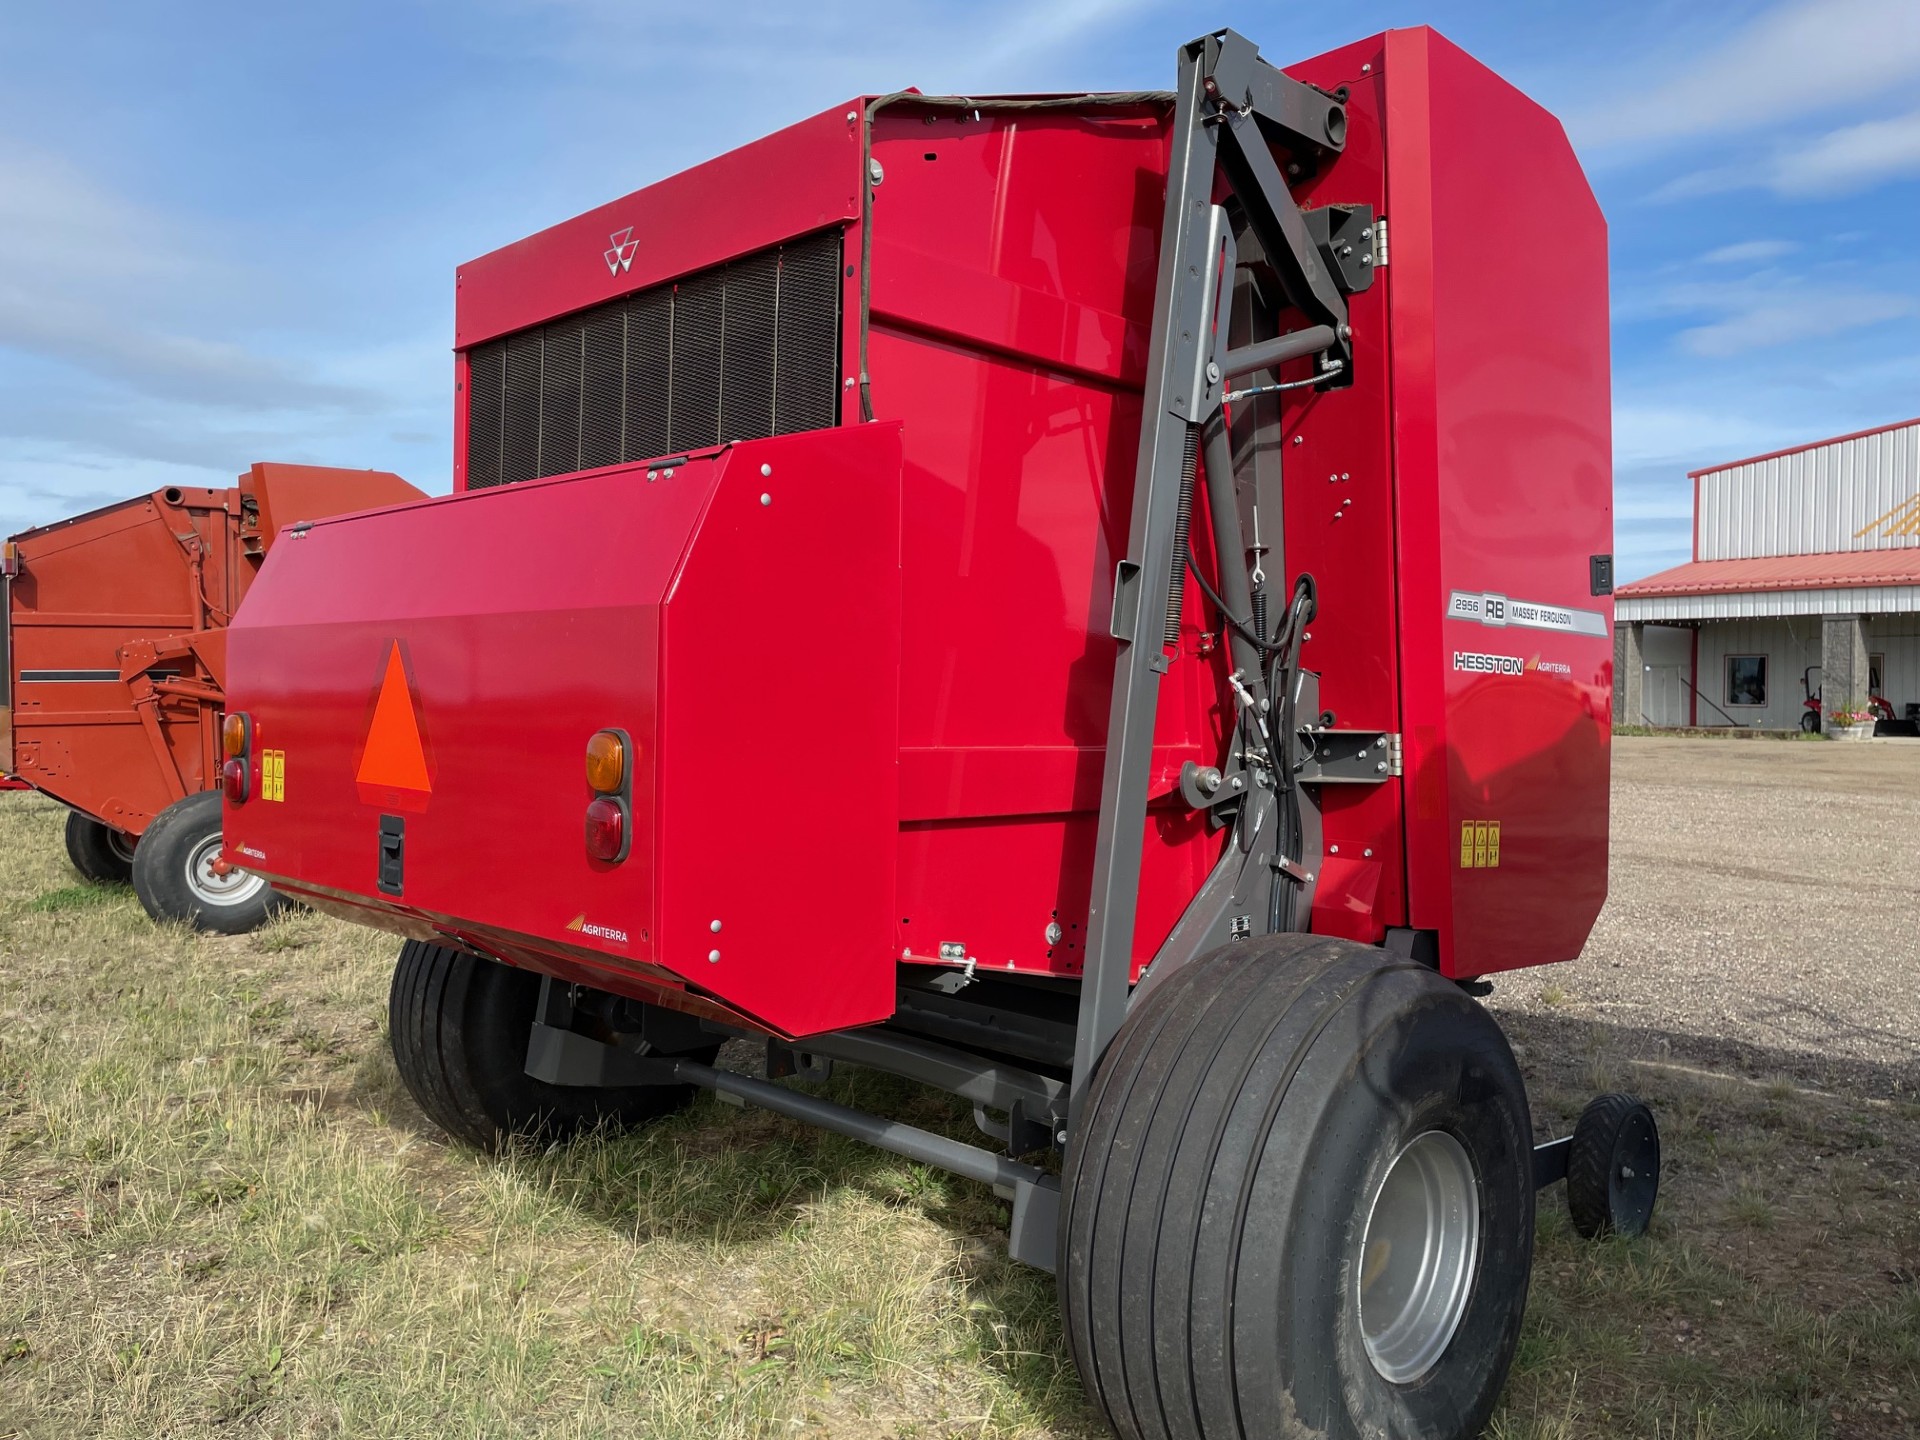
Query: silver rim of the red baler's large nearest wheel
1418	1257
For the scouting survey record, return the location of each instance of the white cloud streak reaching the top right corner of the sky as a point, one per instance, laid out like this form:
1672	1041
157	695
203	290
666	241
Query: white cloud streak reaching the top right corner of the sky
1796	60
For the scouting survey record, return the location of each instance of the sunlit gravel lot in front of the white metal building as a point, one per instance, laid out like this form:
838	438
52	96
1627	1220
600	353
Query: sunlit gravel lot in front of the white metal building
1764	913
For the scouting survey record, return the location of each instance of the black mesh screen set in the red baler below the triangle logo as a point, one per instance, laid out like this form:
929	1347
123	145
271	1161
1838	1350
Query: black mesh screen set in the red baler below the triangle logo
740	352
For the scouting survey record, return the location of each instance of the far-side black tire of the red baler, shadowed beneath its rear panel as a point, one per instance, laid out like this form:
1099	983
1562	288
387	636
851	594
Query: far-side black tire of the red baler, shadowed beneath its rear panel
460	1028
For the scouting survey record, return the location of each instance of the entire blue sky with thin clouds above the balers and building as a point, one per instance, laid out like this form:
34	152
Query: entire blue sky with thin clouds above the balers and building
229	231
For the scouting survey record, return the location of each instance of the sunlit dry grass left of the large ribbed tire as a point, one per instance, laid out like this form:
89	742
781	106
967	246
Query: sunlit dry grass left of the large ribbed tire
220	1214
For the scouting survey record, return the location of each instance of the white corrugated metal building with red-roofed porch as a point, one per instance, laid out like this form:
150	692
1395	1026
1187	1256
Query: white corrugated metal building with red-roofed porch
1806	575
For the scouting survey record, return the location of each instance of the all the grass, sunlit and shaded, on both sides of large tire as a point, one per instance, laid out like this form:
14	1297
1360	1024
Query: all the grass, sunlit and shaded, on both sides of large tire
222	1216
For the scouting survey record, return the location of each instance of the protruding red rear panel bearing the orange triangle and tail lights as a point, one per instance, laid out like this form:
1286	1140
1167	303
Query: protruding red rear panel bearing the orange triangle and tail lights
444	665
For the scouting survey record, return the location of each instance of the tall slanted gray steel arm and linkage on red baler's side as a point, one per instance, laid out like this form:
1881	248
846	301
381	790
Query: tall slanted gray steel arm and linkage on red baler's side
1226	107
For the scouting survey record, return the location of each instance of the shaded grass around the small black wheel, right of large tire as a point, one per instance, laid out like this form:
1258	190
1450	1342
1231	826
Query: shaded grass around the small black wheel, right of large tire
1775	1297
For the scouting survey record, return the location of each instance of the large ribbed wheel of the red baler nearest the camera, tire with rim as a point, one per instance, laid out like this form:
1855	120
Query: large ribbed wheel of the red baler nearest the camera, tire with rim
1220	1197
